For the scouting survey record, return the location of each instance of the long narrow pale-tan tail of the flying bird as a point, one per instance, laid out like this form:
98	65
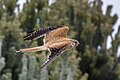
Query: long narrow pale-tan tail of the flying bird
34	49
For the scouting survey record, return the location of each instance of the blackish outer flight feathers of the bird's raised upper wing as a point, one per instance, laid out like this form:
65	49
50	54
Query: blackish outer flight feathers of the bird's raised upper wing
39	33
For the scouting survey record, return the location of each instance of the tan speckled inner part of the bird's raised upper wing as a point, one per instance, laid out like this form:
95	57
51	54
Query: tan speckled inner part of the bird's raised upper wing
56	34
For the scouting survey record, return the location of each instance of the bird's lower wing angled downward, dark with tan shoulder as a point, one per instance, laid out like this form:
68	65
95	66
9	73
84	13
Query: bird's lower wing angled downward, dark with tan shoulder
56	50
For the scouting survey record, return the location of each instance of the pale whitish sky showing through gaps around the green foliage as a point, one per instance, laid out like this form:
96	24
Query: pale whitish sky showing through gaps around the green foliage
115	10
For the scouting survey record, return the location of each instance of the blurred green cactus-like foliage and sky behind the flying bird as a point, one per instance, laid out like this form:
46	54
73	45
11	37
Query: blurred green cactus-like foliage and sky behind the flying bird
91	22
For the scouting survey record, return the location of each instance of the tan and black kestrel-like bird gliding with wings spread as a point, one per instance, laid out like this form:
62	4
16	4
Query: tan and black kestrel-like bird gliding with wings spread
55	41
